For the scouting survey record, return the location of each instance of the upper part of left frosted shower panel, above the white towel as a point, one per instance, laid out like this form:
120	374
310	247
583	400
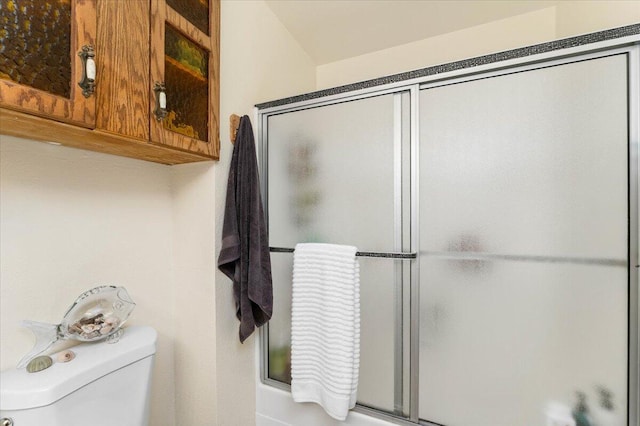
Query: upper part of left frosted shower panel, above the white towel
331	174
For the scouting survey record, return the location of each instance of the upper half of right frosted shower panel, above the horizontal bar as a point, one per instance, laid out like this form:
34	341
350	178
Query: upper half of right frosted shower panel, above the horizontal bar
531	163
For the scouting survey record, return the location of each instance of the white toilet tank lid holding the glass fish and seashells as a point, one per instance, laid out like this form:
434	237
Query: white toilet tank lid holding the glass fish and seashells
20	390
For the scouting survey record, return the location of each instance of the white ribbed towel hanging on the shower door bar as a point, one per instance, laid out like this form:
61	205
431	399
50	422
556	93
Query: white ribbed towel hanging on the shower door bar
325	327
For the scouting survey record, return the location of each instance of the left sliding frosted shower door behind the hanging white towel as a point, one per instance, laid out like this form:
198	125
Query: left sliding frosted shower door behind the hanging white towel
335	175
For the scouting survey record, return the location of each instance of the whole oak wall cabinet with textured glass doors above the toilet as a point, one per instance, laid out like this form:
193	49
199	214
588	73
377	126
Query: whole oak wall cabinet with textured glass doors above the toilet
131	39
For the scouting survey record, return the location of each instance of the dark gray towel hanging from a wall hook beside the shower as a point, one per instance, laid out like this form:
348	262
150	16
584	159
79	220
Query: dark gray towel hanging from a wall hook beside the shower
244	257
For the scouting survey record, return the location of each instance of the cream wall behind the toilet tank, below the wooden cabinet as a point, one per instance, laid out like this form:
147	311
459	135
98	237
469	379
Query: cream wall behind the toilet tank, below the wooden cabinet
71	220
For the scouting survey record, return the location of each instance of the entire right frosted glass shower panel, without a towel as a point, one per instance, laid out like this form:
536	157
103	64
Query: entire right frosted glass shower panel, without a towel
523	245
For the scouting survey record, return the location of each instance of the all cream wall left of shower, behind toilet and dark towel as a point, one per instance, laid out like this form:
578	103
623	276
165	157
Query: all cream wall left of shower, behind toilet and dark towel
72	219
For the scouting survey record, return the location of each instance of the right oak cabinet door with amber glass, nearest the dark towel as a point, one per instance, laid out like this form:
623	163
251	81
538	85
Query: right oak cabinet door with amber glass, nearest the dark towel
185	61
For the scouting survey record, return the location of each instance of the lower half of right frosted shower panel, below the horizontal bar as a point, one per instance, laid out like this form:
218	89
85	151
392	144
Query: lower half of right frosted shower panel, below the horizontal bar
505	344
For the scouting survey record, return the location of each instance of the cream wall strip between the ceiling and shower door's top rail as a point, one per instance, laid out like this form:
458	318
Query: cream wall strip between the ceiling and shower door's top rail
568	19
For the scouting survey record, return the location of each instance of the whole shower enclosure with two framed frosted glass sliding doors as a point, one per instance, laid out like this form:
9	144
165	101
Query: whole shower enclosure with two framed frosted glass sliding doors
496	214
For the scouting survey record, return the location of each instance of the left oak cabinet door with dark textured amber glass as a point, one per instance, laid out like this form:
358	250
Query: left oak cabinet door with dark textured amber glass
39	63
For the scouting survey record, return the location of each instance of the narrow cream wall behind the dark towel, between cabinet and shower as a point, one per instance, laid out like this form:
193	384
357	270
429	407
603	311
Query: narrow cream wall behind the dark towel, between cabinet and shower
260	62
